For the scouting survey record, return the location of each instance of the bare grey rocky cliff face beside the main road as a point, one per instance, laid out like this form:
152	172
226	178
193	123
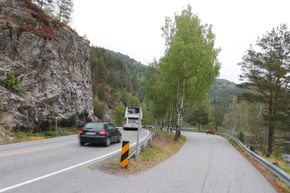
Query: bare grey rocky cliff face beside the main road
51	63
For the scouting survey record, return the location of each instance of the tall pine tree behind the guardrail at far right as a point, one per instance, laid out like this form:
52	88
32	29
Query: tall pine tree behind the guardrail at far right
267	70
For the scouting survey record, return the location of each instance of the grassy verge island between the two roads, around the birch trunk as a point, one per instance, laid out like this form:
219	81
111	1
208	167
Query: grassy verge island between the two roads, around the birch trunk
161	148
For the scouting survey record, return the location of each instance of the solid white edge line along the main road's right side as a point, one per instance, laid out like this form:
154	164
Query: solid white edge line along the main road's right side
66	169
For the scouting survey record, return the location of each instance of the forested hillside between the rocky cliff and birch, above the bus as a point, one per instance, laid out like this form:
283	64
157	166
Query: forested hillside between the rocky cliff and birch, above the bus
116	80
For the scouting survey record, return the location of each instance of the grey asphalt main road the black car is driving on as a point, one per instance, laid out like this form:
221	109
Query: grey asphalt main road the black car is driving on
32	161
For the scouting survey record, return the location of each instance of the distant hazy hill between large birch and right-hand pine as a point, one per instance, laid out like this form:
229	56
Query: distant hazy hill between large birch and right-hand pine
223	92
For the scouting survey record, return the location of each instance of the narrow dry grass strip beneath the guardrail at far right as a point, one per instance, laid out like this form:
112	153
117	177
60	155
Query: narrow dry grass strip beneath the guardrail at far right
279	185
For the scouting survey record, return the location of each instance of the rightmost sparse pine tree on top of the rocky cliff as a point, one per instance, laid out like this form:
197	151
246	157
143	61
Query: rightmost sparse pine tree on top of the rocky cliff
64	9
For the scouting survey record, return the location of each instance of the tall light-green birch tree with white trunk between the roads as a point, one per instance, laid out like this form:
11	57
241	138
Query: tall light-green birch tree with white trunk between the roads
190	63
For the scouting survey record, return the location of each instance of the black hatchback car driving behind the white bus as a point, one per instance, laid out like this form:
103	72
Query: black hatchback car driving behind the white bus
95	133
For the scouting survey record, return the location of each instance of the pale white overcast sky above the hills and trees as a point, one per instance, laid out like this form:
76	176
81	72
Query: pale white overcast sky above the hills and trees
132	27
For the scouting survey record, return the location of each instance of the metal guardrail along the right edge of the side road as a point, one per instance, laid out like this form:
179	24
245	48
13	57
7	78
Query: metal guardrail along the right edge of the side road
274	169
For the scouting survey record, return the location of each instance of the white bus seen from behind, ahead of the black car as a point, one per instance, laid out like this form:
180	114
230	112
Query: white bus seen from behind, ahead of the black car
132	117
